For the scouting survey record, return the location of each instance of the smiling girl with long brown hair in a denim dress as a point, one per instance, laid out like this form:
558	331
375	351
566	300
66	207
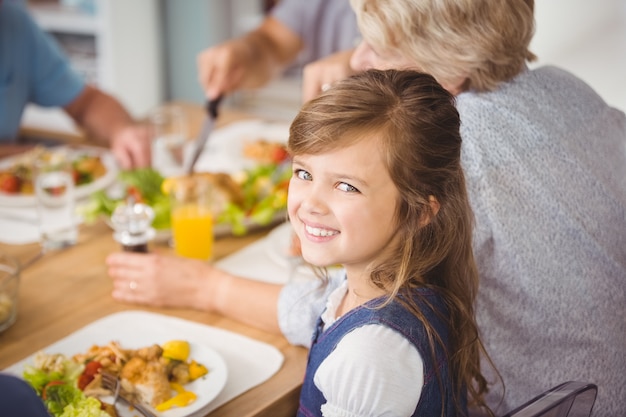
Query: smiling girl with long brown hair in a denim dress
377	186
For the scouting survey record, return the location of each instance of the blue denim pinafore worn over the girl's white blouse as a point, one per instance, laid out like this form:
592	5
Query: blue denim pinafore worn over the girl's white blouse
396	317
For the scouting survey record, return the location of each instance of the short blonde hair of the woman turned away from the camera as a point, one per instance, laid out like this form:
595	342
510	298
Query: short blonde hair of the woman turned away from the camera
483	42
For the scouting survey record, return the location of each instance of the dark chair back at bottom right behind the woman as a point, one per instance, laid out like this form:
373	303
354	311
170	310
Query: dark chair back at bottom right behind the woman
570	399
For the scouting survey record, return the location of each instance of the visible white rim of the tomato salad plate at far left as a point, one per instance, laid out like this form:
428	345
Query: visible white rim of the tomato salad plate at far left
81	192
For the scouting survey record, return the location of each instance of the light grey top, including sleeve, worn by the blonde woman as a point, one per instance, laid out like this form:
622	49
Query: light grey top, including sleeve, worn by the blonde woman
545	161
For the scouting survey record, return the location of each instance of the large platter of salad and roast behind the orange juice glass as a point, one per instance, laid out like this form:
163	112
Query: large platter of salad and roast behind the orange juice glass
249	199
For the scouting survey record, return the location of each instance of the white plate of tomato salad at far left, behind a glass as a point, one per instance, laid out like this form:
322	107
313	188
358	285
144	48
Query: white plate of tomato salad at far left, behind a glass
93	169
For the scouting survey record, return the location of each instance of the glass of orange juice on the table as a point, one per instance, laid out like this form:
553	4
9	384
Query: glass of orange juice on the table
192	217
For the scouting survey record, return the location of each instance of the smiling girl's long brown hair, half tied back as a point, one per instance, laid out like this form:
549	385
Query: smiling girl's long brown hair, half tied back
417	124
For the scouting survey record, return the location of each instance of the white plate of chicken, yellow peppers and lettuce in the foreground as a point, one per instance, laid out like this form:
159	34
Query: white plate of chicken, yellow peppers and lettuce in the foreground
172	377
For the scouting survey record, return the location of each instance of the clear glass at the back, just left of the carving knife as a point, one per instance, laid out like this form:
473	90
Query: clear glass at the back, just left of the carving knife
169	127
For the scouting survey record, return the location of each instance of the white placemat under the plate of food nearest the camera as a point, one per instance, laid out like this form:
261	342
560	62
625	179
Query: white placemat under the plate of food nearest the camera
249	362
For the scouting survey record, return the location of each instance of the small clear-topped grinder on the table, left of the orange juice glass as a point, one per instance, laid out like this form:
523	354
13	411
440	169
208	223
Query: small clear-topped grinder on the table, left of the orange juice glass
133	226
